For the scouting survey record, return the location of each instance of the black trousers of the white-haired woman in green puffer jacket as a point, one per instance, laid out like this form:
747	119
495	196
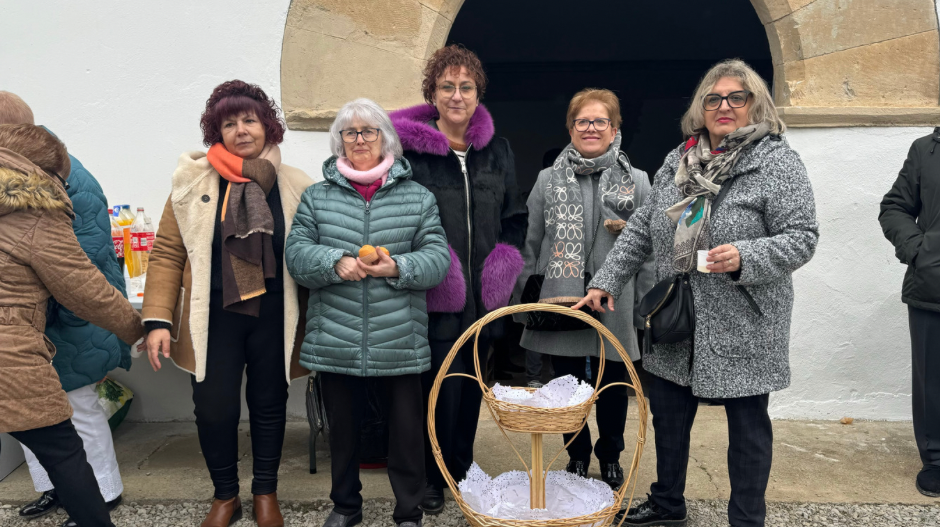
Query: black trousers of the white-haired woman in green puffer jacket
345	399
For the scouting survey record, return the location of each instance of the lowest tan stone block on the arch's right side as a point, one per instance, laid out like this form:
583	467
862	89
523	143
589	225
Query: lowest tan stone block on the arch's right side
903	72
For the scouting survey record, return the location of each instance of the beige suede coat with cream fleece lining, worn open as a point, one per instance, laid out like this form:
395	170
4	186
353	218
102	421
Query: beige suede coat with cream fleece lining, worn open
179	272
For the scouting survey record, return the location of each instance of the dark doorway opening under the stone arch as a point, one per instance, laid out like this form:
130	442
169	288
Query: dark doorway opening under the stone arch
538	54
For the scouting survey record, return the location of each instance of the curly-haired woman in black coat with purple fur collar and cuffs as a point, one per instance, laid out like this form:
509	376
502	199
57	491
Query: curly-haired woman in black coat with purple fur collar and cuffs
450	144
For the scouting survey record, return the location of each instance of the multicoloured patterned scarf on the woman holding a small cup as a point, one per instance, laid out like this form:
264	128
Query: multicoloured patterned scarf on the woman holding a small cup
699	178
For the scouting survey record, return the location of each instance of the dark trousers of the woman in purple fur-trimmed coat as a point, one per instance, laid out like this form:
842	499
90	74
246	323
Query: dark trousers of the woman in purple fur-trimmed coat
458	410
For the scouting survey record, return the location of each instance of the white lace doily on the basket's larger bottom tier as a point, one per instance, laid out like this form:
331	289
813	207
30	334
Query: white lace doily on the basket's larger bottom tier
507	496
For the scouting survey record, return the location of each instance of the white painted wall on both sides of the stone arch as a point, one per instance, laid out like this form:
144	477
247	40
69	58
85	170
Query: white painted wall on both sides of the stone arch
123	84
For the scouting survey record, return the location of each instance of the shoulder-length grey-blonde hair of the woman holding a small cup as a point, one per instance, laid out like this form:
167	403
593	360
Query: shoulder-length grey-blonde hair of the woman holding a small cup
762	108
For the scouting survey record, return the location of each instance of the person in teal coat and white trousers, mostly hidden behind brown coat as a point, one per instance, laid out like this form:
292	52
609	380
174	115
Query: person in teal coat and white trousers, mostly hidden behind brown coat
85	353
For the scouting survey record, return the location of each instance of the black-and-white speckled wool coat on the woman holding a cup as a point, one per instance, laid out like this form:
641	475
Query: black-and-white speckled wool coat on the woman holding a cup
769	215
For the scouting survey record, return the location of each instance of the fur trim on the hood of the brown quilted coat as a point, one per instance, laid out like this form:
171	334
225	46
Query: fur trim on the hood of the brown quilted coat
20	191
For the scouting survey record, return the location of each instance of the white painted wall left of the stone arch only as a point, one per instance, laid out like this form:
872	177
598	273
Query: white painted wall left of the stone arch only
123	85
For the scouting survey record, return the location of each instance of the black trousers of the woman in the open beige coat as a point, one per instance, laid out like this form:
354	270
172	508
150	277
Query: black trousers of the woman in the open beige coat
237	342
